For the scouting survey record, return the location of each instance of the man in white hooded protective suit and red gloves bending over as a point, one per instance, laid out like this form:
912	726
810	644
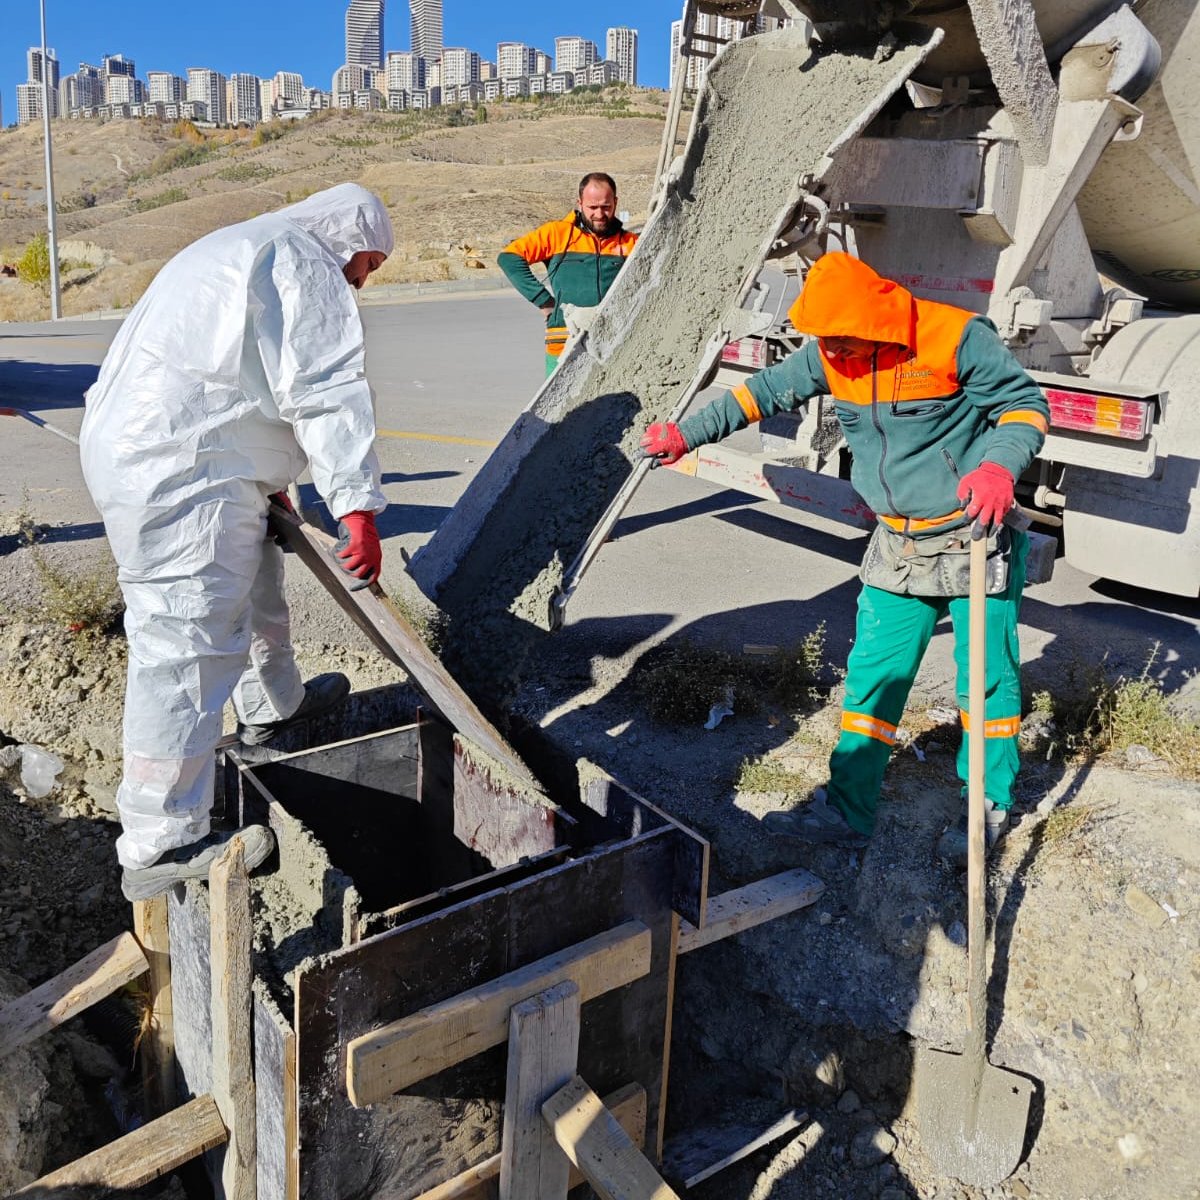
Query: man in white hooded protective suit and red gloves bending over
241	367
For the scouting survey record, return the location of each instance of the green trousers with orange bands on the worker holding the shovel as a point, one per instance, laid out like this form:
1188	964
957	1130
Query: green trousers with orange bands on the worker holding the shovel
890	643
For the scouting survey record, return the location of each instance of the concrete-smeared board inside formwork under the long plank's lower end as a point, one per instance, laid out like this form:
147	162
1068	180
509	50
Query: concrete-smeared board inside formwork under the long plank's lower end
496	815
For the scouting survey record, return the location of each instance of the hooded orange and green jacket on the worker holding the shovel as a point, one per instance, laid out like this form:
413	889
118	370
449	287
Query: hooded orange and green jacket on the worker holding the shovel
940	395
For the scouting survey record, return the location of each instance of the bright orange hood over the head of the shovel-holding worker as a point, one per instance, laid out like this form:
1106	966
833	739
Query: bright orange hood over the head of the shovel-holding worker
845	298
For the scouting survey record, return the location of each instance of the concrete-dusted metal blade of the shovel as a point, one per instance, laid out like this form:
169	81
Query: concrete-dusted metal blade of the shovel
979	1144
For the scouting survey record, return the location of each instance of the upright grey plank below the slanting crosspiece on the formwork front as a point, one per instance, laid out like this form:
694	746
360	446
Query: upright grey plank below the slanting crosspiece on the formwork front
544	1054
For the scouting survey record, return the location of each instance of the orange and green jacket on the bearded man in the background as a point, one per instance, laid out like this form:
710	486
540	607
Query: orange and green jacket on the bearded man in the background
580	268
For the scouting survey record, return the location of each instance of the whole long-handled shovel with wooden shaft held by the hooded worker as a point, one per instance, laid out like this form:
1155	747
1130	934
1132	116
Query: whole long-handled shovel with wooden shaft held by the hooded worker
974	1115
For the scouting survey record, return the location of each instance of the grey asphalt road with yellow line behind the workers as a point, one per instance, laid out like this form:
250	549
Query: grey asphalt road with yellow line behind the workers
451	377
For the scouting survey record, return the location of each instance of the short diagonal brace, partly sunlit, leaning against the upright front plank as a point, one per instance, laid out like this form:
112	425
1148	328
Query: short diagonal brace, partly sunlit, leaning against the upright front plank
593	1141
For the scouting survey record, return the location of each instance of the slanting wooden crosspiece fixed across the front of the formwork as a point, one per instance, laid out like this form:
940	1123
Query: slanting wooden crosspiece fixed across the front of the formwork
401	1054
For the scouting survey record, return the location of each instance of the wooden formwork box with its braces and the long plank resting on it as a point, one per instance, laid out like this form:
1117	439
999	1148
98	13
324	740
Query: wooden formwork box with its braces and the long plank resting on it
465	967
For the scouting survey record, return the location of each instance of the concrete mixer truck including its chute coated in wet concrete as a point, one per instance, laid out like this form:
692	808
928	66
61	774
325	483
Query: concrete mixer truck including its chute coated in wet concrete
1039	163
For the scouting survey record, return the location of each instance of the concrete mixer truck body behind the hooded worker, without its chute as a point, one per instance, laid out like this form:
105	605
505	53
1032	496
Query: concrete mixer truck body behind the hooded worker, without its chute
1043	167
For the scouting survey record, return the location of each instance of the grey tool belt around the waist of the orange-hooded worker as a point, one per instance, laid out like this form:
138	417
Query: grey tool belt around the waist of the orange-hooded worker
935	566
